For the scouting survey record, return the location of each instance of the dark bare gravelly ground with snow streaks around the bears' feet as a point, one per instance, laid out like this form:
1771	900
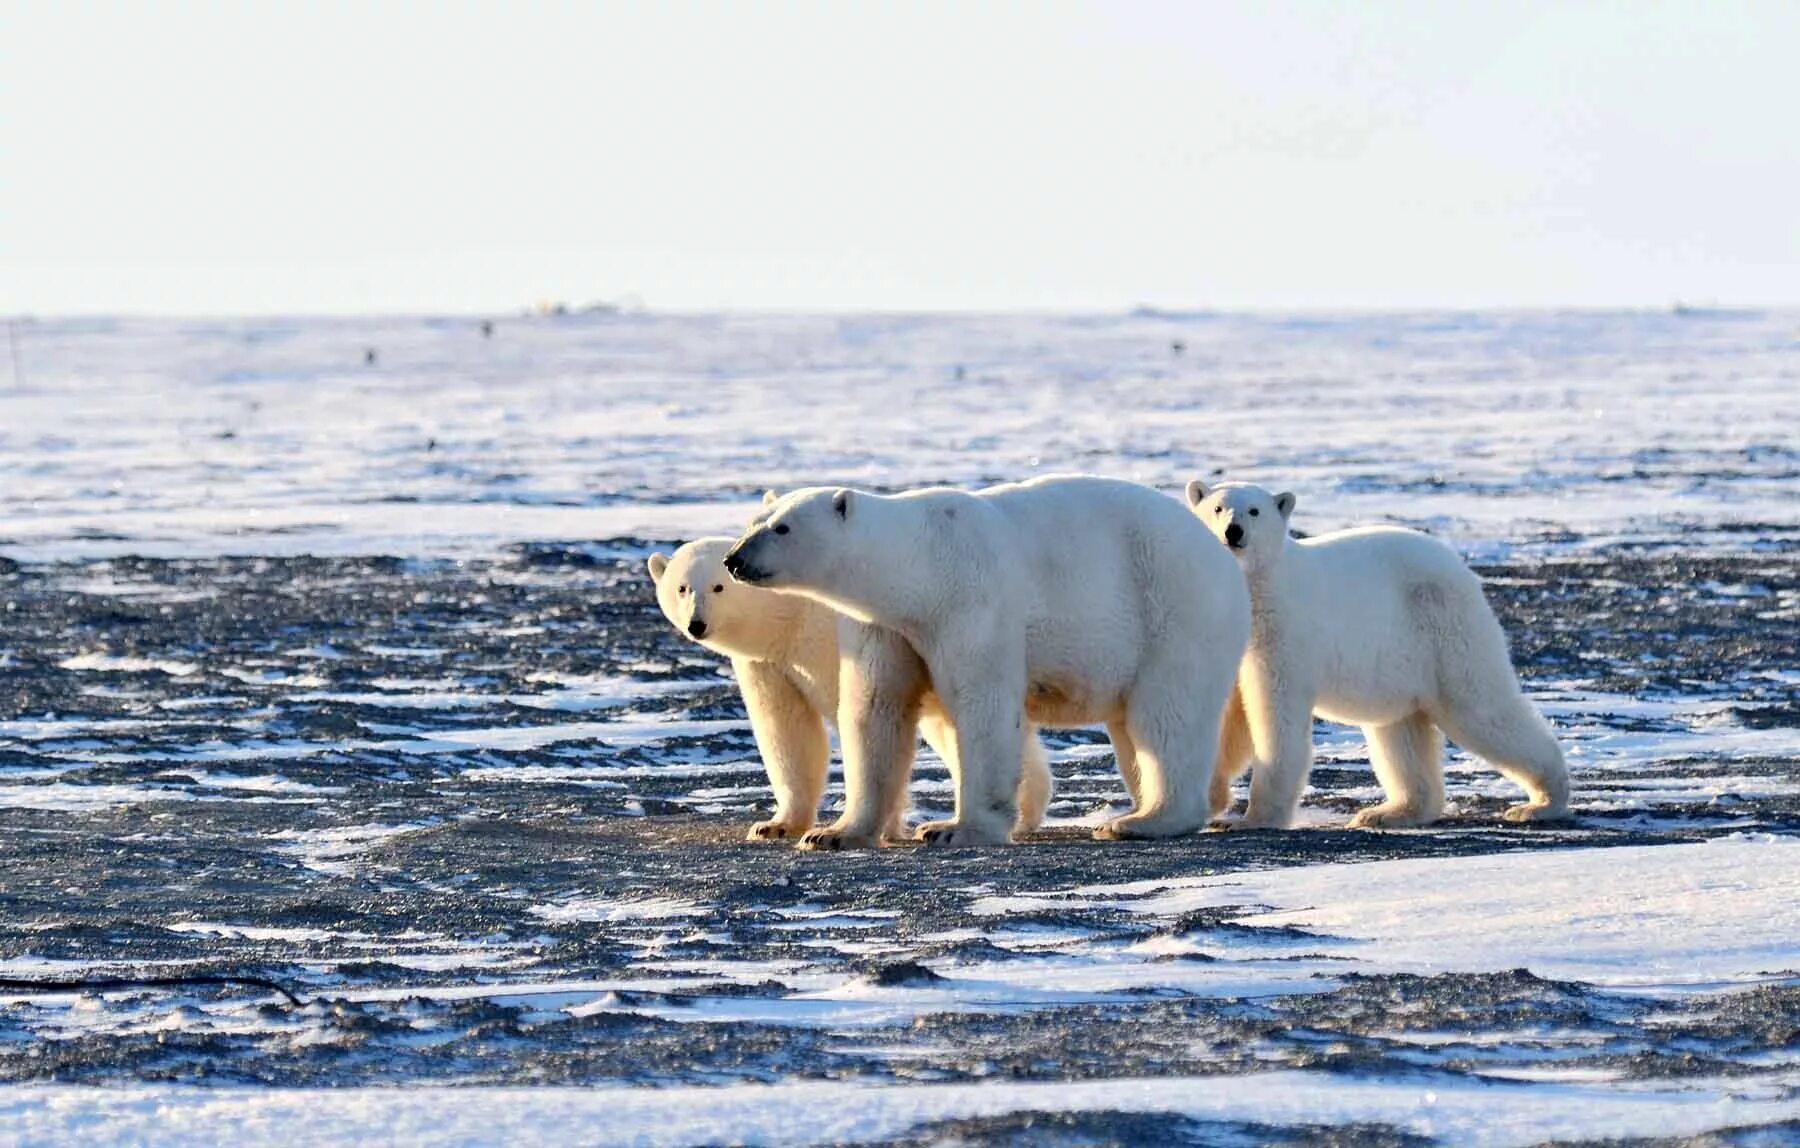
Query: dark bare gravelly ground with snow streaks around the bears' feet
301	670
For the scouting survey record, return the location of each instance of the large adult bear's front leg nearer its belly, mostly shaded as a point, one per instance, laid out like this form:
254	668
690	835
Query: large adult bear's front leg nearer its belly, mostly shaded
982	688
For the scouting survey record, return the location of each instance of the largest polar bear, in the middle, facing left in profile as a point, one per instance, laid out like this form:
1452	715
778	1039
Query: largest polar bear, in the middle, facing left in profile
1088	598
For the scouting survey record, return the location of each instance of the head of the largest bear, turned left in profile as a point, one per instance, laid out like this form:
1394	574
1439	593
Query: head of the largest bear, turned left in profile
798	541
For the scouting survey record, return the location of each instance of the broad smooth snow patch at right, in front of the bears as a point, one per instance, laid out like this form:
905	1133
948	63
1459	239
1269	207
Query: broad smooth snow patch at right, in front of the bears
1648	917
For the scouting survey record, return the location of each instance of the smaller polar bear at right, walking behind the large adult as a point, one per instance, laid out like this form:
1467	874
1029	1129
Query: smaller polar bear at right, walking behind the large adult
1385	629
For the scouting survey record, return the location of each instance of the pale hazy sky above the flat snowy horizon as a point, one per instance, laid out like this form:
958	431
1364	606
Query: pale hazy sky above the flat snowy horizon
354	157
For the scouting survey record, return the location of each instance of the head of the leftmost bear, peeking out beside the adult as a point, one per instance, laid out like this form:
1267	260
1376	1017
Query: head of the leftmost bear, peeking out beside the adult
705	604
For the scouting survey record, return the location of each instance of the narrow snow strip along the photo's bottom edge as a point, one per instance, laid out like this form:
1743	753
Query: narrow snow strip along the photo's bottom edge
1444	1108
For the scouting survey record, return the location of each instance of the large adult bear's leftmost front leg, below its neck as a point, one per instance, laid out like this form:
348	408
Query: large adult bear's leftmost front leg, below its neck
879	688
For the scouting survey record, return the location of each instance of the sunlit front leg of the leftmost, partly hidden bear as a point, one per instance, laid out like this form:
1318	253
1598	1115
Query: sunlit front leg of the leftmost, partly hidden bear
793	742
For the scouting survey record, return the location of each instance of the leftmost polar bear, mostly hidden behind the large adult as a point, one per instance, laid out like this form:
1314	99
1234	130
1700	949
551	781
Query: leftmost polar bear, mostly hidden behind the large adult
784	654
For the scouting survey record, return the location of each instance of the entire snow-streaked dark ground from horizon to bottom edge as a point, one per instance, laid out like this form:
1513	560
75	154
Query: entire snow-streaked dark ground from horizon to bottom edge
348	676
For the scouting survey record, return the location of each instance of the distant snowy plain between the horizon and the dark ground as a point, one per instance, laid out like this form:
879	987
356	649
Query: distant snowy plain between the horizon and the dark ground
139	436
